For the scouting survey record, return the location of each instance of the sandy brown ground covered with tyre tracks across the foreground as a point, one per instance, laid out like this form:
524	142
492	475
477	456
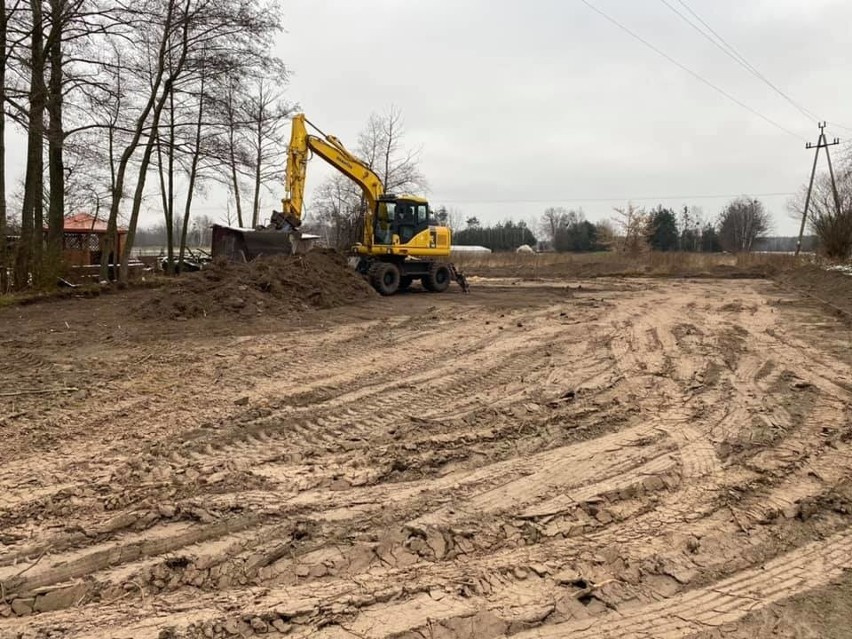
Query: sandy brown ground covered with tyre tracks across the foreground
608	458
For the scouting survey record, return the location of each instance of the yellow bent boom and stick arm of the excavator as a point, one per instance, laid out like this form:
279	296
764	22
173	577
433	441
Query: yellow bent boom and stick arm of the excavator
330	149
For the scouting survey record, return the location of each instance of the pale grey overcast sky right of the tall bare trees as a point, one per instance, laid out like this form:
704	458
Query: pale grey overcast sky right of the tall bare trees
522	105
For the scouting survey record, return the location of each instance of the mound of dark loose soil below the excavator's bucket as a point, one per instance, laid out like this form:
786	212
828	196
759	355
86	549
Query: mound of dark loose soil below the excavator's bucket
276	284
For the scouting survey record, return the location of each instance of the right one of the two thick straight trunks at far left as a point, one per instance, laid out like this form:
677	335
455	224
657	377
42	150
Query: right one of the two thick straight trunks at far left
55	136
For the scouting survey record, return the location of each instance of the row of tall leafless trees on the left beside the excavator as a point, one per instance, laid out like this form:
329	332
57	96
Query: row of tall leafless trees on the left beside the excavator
123	102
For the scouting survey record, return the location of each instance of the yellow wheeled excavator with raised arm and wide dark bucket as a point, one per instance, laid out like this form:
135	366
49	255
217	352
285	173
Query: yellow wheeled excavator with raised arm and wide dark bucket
402	241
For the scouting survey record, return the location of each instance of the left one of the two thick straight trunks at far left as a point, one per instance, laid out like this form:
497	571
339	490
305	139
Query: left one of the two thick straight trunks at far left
29	247
